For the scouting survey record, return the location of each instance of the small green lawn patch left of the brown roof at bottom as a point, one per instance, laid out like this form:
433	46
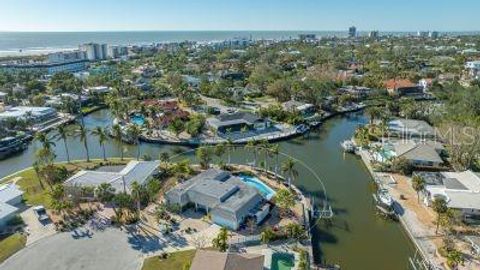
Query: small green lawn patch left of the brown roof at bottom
175	260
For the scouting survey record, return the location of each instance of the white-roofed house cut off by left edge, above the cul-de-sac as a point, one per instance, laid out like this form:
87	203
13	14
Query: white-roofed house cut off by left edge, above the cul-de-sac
10	198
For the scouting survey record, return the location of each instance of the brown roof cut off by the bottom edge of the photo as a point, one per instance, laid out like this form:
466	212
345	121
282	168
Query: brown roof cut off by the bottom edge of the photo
215	260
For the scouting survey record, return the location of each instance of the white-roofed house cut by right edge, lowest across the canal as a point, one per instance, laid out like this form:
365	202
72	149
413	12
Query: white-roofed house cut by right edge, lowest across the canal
461	190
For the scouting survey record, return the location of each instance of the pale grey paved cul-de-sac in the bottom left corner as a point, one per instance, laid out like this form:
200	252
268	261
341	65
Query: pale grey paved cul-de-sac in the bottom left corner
110	249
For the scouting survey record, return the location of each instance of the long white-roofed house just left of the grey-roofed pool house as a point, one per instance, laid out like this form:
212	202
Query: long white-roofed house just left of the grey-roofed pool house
120	177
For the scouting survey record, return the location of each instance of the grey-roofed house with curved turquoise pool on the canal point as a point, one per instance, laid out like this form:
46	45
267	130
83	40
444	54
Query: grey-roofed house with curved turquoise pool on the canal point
229	199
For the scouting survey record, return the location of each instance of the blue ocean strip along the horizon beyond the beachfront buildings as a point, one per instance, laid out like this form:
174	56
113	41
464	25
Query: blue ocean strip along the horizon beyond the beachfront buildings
28	43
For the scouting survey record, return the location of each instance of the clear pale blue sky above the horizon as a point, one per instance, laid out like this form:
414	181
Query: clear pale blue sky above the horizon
173	15
